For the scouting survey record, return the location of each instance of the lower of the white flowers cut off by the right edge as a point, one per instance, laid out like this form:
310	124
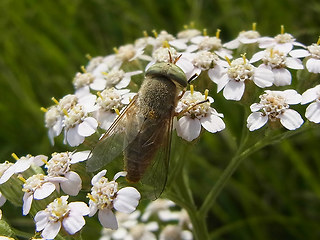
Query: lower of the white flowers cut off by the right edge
313	110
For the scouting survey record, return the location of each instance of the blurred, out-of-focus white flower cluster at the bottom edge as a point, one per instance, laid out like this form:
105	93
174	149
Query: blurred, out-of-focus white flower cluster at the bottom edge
161	219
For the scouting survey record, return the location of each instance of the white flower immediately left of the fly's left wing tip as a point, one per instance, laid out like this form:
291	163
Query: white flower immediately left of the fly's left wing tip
58	168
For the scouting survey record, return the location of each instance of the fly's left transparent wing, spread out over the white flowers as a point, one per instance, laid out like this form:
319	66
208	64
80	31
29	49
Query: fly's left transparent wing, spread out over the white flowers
116	138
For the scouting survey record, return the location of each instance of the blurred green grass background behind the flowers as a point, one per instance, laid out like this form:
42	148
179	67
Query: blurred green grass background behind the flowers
274	195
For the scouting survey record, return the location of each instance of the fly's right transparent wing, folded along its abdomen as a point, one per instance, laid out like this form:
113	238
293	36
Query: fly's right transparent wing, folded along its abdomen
155	178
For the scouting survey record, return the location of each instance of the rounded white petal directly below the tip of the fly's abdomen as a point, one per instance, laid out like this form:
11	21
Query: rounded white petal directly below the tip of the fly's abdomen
127	200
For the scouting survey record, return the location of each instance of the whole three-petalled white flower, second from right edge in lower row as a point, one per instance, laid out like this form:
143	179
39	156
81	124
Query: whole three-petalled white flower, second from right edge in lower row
274	106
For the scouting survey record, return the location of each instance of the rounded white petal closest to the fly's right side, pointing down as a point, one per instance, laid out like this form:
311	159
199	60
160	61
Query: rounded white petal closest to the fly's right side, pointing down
187	128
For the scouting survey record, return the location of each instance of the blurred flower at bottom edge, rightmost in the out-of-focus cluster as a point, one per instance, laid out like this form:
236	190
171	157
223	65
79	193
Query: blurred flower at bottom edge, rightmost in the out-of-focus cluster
175	232
